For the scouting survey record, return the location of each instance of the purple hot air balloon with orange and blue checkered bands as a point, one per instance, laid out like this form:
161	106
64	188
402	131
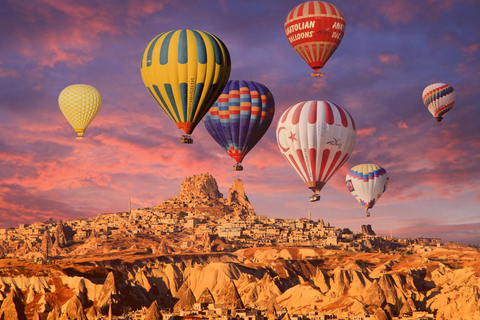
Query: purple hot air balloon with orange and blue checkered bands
240	117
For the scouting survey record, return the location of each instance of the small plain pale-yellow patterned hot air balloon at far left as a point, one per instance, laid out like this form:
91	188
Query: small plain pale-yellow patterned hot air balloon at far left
80	103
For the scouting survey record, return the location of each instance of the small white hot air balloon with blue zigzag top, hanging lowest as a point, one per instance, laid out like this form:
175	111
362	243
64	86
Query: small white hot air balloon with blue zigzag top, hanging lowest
367	183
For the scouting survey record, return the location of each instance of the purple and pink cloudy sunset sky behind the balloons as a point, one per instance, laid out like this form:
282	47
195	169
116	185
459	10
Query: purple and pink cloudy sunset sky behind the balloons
390	52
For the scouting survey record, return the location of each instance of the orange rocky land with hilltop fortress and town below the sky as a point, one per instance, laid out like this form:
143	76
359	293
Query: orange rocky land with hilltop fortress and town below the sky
199	255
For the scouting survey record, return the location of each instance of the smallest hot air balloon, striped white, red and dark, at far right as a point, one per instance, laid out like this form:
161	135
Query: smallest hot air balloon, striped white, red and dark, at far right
439	99
